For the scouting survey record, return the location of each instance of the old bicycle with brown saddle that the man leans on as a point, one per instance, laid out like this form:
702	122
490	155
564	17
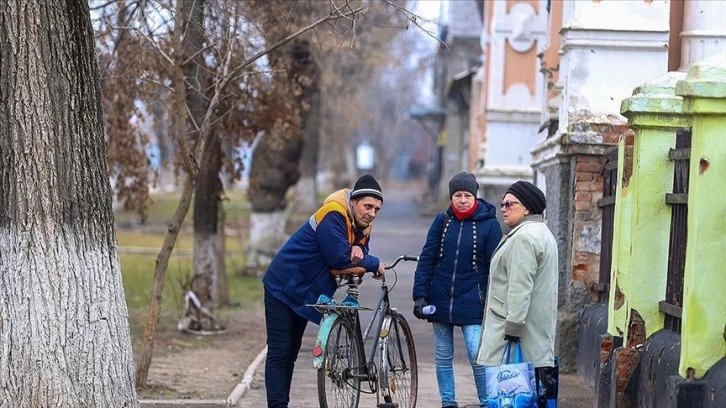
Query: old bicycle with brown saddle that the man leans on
339	349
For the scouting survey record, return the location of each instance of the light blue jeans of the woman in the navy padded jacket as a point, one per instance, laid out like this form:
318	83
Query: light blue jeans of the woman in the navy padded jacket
444	359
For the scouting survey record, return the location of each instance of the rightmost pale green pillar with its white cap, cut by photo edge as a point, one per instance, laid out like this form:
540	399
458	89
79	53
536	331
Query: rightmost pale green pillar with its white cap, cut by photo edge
703	332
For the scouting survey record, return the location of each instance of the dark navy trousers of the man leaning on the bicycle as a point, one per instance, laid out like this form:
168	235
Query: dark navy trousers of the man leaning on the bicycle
285	330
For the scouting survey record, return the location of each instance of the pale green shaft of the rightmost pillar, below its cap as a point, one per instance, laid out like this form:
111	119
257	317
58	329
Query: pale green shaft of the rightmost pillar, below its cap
704	295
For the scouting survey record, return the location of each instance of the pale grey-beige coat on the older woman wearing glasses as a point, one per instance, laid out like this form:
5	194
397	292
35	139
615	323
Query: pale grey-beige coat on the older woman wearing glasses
522	295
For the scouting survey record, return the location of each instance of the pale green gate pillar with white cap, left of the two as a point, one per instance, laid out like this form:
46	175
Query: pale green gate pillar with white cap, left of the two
655	114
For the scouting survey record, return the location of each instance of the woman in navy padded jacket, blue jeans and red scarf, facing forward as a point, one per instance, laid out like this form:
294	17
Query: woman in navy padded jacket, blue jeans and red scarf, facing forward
452	275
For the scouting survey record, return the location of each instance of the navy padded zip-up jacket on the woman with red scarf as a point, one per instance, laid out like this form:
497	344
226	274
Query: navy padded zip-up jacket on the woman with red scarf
453	269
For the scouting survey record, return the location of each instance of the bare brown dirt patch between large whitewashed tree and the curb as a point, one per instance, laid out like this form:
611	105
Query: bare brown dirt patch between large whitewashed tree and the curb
186	366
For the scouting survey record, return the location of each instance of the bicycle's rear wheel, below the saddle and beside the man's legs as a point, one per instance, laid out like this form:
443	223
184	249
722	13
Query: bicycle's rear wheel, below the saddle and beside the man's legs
339	377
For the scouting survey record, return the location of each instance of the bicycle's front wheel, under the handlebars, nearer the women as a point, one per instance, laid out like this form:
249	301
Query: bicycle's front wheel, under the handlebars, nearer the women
399	368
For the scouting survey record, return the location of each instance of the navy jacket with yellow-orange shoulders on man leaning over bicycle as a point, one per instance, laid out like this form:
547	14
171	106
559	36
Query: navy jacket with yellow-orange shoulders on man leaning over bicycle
300	272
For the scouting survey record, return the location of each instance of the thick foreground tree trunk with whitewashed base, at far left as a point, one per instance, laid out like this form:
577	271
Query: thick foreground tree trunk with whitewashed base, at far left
63	317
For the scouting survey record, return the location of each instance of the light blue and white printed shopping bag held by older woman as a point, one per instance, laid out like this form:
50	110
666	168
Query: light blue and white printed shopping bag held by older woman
512	383
